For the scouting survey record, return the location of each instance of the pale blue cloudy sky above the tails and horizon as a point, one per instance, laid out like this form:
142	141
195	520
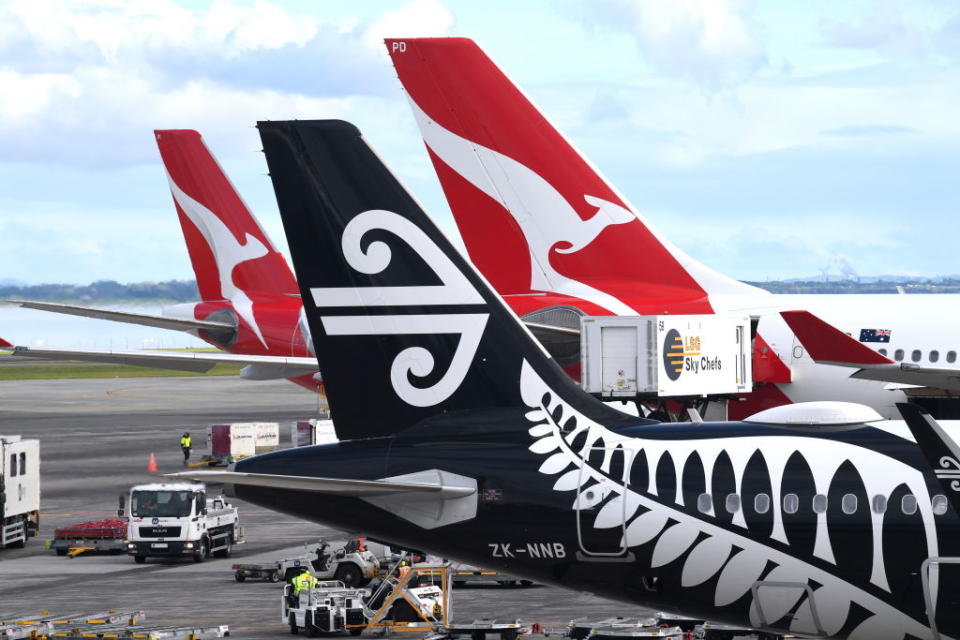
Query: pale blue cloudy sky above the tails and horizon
767	139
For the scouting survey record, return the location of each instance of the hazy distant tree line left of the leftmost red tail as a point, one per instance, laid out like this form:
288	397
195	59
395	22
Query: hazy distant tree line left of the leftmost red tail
106	291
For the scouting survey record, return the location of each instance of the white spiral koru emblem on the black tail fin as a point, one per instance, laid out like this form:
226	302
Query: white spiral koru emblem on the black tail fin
454	290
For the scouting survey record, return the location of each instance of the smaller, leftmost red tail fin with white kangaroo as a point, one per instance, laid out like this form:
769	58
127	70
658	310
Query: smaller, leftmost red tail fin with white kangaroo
231	254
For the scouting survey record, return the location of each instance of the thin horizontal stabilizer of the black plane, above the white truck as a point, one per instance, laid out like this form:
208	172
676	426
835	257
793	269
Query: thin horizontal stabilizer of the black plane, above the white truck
335	486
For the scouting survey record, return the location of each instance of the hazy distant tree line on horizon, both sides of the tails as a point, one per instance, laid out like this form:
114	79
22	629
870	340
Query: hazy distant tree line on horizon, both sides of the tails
110	291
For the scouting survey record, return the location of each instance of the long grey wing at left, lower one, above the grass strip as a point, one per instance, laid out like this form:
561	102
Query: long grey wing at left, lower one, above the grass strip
257	367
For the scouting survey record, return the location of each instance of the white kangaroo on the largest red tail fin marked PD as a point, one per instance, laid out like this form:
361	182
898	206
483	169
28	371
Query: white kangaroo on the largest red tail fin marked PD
566	233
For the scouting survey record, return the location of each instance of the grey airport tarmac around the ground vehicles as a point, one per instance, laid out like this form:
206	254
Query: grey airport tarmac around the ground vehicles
96	437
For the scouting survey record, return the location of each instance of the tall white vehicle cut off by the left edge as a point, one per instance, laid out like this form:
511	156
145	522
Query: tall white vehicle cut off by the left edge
19	490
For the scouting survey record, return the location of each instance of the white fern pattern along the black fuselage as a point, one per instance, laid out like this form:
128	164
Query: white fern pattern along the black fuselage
582	453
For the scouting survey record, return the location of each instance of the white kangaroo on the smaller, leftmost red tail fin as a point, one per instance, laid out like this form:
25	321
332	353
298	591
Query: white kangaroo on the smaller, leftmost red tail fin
227	253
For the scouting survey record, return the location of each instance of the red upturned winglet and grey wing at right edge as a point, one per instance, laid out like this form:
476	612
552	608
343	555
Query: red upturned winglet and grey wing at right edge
828	345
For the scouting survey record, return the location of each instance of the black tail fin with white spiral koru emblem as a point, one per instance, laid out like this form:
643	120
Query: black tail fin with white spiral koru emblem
404	327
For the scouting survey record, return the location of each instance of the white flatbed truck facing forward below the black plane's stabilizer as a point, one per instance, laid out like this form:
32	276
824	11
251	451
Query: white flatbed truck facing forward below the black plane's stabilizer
179	520
